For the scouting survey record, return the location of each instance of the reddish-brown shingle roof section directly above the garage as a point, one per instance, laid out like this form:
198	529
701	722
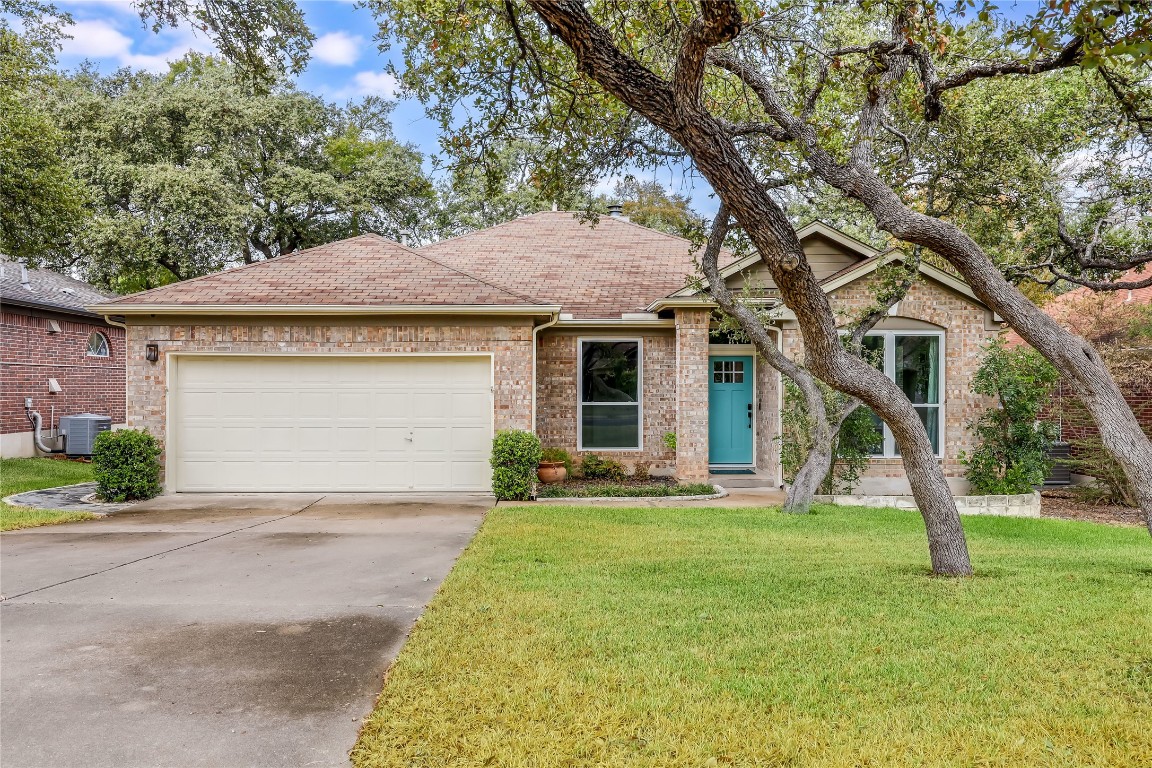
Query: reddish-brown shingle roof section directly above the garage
368	271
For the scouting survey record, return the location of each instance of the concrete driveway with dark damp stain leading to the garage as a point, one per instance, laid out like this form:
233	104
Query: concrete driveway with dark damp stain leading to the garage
215	630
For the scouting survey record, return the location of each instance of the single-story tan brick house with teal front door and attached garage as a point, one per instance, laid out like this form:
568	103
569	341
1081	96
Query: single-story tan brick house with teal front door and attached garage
365	366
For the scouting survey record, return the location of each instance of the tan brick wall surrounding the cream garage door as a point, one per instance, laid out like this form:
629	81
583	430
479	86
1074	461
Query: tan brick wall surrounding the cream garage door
509	341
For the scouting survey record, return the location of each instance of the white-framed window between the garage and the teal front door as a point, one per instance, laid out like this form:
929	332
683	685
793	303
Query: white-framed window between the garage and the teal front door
610	396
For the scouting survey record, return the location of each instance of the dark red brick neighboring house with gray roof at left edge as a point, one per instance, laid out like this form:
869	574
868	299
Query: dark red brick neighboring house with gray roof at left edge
64	358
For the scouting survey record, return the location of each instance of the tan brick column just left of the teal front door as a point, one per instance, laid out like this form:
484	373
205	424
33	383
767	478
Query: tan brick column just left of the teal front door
693	394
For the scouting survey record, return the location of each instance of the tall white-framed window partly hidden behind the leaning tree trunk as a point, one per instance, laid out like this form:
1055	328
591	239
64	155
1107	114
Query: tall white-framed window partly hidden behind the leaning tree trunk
914	362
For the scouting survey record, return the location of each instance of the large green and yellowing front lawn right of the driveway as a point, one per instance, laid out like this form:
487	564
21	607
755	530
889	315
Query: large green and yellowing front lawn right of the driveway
739	637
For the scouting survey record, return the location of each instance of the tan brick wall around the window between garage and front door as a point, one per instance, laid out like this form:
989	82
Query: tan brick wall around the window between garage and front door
558	368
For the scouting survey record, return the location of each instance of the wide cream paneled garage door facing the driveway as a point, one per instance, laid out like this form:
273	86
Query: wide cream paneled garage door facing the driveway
369	424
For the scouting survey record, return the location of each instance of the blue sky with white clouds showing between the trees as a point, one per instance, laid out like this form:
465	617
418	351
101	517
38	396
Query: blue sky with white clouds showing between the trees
345	65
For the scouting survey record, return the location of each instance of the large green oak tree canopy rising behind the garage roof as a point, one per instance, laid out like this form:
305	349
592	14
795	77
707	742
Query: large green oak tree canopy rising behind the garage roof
191	172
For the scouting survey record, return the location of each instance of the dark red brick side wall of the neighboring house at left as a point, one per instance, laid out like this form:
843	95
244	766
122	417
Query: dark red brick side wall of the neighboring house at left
29	356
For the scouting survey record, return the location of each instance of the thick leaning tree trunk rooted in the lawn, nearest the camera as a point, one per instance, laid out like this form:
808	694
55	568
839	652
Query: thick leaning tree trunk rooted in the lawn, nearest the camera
677	111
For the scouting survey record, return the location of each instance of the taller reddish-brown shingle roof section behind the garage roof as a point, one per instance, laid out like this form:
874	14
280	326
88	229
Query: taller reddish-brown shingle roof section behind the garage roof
600	271
